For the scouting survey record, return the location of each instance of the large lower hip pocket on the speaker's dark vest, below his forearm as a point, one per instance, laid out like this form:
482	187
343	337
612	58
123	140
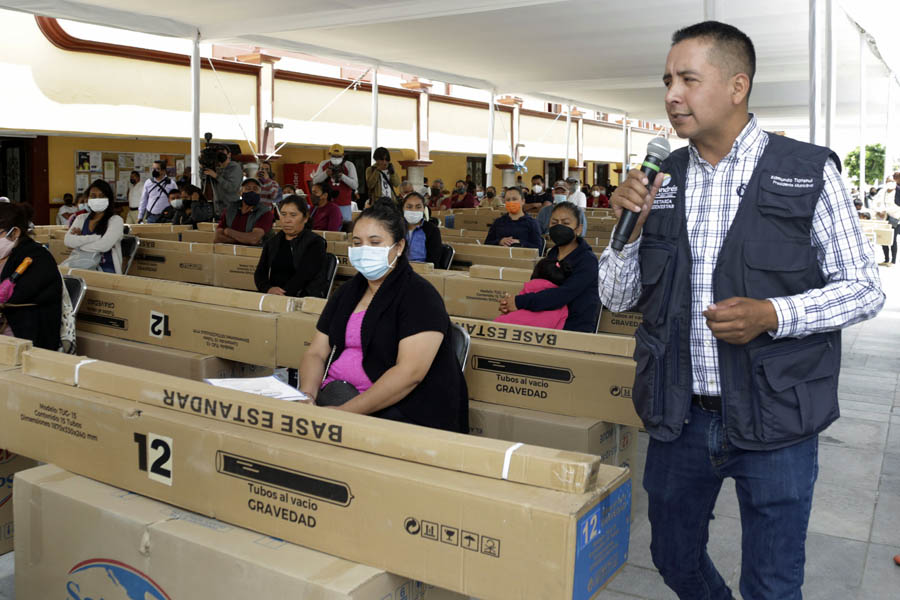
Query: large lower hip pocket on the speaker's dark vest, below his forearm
794	386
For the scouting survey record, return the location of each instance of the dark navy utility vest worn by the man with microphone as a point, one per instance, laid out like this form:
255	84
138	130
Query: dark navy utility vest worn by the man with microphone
774	392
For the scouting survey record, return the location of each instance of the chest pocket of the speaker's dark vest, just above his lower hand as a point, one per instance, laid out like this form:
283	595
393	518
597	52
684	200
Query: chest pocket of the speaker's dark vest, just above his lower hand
776	269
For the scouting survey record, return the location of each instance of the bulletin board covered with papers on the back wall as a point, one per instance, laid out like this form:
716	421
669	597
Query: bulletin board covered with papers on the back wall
116	168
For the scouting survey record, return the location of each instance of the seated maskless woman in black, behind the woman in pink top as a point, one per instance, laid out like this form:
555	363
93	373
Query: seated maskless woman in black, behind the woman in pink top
292	262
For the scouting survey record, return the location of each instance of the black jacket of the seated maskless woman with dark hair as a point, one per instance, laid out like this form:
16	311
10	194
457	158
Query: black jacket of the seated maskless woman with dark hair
309	265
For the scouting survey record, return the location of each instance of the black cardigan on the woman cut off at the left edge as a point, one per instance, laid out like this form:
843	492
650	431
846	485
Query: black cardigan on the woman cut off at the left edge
41	284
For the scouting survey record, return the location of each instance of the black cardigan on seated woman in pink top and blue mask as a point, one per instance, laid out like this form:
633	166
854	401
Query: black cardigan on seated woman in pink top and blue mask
405	304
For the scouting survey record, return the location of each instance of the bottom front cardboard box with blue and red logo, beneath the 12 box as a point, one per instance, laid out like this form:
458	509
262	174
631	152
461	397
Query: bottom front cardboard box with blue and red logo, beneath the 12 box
97	541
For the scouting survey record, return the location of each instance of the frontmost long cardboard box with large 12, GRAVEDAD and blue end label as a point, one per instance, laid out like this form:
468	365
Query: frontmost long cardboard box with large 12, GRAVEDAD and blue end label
490	539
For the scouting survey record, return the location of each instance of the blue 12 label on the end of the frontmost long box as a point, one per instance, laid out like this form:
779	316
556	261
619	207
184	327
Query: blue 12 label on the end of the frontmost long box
602	546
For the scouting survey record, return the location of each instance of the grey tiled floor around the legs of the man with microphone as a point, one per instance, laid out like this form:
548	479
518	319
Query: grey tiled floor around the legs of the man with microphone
854	529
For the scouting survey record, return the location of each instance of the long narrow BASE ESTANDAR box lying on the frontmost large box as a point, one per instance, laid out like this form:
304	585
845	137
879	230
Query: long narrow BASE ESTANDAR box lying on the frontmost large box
568	472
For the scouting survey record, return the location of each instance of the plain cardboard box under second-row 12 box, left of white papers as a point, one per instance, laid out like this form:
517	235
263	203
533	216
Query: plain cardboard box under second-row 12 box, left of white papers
178	363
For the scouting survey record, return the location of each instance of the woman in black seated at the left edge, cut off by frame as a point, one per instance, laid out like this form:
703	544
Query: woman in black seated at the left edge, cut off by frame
38	290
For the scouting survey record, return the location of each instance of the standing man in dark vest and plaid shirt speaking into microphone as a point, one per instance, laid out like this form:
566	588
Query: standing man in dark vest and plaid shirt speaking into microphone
746	261
